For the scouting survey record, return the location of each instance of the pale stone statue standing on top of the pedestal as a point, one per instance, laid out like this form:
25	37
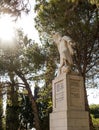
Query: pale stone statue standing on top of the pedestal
64	45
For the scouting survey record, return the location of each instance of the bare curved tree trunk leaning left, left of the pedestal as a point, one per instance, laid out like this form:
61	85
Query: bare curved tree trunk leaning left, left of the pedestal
34	106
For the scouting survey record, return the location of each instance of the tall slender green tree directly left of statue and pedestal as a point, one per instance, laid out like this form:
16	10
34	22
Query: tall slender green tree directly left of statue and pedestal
44	94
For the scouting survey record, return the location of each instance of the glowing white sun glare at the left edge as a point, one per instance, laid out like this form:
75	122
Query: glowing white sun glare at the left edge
7	29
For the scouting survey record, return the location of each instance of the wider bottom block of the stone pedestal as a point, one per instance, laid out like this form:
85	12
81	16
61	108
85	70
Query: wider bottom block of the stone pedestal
69	120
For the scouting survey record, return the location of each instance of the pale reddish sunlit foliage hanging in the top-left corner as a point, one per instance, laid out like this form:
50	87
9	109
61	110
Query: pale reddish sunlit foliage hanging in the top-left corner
14	7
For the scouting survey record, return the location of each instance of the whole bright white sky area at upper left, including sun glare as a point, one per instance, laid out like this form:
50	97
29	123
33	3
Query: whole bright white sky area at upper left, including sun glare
25	22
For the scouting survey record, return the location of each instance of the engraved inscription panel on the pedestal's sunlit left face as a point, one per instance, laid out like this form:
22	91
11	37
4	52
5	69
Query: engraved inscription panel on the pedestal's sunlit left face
59	93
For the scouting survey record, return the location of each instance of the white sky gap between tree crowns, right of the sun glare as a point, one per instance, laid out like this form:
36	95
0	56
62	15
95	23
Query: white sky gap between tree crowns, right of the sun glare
28	24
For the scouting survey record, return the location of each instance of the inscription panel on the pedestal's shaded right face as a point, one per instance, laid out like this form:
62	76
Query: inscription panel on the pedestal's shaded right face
75	93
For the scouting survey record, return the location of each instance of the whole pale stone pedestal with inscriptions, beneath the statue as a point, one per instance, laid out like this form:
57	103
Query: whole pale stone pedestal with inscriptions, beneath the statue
68	104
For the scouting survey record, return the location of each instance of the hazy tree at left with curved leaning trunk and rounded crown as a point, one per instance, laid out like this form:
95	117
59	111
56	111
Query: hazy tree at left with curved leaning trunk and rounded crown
22	62
